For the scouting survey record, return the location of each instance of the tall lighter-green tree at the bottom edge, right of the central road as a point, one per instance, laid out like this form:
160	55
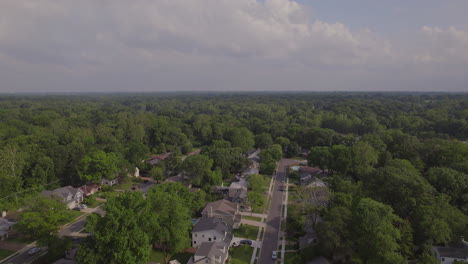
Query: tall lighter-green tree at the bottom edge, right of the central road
374	234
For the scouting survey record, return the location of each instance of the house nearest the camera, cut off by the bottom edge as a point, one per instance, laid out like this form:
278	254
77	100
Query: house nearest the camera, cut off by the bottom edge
211	253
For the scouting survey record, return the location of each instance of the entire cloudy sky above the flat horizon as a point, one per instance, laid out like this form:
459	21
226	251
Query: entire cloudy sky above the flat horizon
233	45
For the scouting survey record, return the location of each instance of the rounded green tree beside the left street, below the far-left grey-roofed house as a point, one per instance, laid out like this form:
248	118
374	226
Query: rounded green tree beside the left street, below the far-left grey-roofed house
41	220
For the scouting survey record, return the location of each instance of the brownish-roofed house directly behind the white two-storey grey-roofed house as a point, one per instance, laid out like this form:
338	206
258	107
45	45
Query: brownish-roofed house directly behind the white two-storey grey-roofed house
224	210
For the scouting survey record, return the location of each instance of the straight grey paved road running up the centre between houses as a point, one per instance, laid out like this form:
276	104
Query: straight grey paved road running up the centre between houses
270	239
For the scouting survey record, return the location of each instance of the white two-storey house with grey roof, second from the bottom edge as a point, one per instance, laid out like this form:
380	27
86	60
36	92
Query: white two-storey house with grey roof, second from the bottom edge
210	229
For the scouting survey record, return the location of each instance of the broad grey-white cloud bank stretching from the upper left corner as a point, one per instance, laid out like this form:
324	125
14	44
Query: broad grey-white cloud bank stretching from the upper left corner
90	32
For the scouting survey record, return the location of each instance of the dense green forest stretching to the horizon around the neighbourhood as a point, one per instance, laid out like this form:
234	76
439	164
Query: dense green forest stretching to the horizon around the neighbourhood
399	162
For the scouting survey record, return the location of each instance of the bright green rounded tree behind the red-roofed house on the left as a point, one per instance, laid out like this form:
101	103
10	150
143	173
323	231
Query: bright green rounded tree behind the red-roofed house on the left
100	165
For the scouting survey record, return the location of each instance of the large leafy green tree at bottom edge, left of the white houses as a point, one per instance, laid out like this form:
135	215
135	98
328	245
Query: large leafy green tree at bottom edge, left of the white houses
121	236
